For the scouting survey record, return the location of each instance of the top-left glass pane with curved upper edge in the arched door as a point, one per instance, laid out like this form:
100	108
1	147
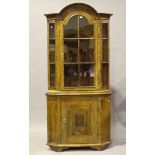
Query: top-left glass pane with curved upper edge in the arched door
71	29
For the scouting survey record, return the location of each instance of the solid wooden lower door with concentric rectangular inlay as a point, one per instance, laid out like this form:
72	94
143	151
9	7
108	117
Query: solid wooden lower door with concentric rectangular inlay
79	120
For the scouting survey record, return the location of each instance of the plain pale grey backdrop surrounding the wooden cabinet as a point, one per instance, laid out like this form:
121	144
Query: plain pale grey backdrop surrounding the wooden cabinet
38	71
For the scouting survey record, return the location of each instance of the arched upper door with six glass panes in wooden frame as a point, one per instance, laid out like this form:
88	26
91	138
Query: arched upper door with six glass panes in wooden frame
79	53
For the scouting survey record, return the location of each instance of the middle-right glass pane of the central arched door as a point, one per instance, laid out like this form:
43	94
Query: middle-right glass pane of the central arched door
87	50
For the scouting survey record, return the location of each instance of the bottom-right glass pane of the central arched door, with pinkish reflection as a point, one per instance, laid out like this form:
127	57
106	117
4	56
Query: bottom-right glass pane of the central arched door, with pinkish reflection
87	75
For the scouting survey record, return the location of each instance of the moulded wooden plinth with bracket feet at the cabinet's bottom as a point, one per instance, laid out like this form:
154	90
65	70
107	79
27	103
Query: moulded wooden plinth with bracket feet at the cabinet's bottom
62	147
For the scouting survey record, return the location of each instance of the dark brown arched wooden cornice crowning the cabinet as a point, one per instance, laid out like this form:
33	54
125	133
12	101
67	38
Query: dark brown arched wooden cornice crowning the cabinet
76	7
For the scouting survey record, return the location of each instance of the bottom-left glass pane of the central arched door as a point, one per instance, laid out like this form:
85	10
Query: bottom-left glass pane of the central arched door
71	77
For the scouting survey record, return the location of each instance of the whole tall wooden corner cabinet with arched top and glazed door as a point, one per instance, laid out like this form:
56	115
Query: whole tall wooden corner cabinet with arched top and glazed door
78	96
